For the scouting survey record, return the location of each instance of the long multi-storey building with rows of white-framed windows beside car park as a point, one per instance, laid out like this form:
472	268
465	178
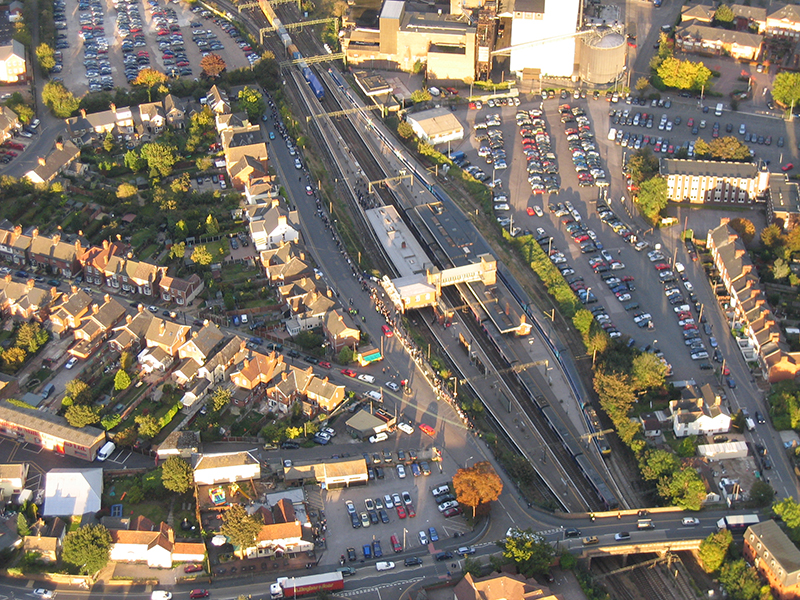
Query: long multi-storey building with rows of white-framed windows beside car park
708	181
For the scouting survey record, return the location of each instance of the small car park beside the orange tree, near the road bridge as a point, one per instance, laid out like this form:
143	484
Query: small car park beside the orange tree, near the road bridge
378	518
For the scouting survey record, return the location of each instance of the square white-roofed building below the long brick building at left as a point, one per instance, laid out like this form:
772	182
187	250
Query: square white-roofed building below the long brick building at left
71	492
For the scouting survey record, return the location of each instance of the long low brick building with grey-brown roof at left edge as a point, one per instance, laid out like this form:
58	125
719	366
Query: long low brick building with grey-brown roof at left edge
49	431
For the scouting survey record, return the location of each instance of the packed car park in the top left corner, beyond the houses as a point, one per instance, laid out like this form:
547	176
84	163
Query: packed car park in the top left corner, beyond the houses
158	36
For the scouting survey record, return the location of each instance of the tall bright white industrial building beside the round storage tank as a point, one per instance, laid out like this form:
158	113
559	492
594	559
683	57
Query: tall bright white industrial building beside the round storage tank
539	20
